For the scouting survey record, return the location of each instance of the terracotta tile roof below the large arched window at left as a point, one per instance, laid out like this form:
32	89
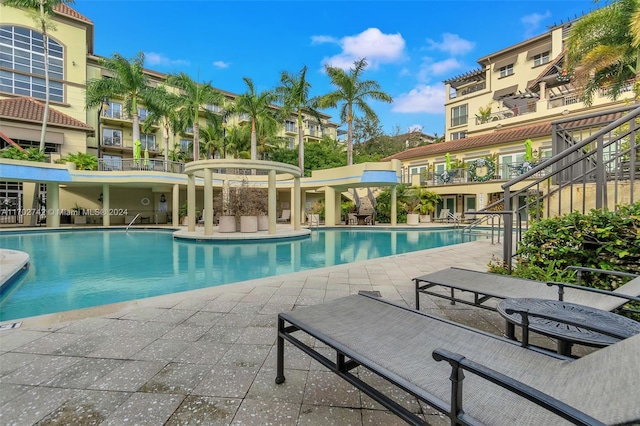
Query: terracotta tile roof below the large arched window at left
29	109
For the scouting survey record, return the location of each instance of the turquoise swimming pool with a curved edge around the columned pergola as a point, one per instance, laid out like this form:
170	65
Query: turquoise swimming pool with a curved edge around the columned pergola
78	269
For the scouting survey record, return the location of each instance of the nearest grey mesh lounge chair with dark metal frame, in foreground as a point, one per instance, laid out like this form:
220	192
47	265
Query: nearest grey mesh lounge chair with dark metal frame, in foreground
502	384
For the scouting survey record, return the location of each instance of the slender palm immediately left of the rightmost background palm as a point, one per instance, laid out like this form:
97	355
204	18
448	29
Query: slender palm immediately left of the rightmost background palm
293	92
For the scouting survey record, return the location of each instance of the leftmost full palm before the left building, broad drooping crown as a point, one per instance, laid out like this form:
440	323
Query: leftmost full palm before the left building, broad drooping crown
128	81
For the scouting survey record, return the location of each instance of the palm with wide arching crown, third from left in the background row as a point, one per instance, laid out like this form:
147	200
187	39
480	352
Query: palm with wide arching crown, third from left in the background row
194	99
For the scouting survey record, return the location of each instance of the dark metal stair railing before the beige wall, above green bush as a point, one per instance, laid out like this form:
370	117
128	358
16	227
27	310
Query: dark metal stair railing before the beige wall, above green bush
595	167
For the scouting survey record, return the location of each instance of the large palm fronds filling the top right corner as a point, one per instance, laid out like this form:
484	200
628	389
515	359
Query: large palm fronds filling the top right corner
601	50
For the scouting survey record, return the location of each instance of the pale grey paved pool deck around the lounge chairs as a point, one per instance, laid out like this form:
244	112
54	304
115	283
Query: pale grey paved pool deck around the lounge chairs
208	356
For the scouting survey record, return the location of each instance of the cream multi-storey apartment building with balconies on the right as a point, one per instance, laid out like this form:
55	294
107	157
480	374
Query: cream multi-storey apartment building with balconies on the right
498	122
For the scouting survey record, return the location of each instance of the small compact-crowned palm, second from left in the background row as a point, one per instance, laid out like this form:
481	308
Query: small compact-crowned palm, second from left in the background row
162	106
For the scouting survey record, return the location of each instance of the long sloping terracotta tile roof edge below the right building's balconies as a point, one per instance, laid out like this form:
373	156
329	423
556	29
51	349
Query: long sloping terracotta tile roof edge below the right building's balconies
501	136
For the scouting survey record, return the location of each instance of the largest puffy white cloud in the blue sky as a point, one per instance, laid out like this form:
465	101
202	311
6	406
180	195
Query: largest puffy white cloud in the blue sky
372	44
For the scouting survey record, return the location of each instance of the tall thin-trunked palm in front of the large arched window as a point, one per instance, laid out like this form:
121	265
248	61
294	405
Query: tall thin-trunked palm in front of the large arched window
41	11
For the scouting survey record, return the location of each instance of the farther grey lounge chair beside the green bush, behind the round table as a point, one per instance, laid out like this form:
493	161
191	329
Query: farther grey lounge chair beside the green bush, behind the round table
487	287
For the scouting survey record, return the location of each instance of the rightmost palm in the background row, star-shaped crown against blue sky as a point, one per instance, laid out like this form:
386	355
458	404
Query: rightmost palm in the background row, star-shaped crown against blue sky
353	92
